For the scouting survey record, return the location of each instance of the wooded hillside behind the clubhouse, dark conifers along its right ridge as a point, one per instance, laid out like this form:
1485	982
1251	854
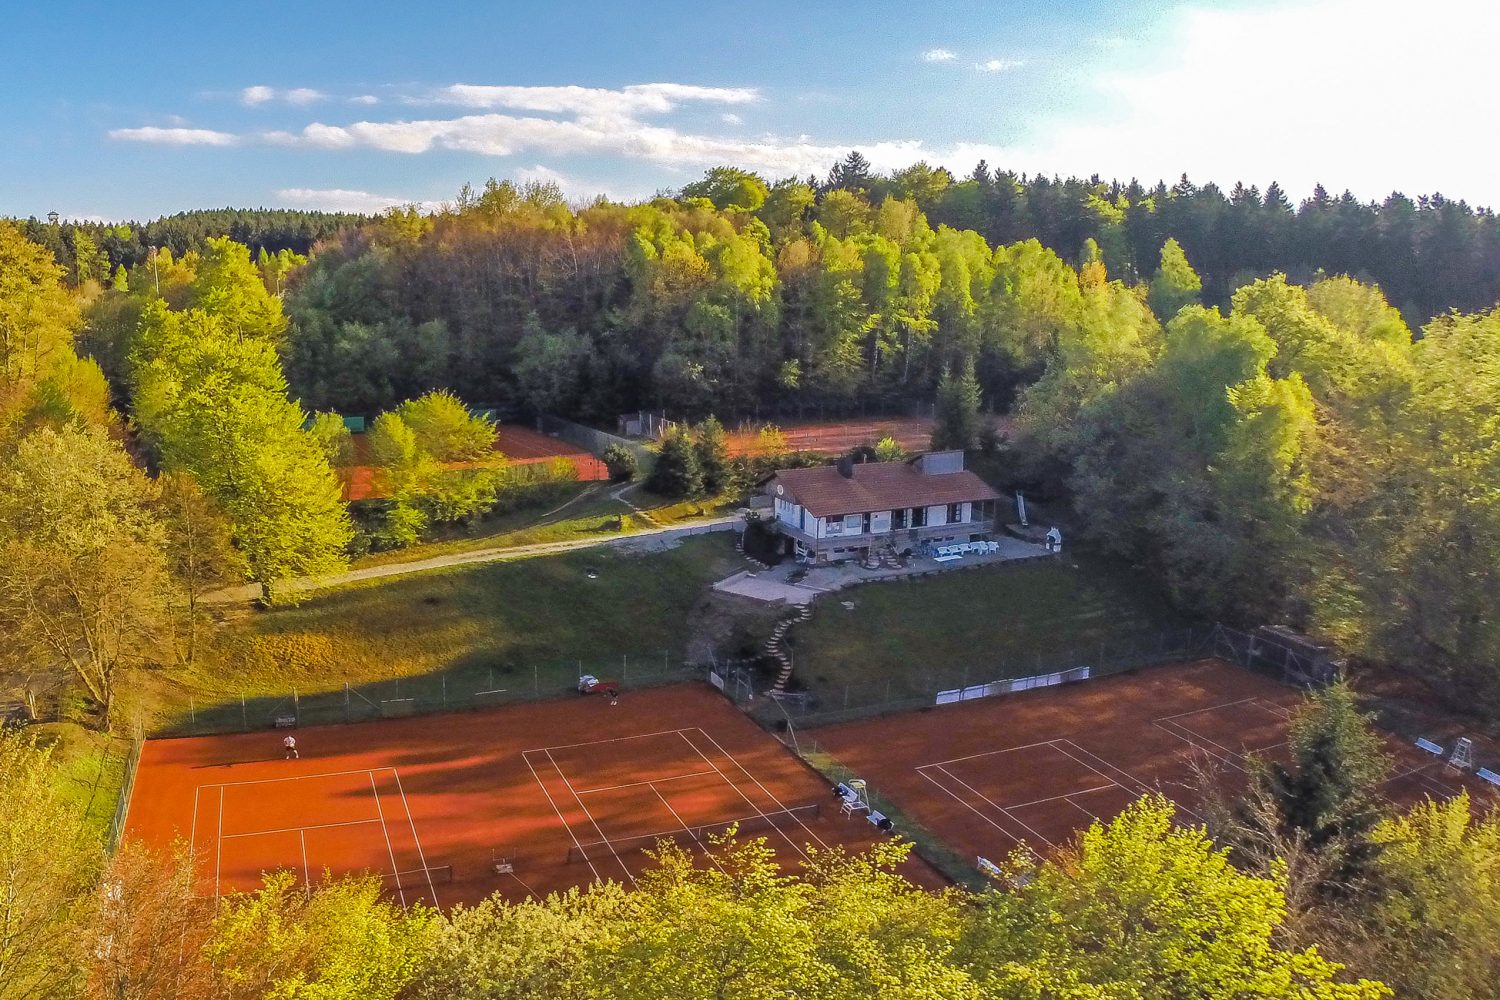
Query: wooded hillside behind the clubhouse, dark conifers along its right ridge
835	295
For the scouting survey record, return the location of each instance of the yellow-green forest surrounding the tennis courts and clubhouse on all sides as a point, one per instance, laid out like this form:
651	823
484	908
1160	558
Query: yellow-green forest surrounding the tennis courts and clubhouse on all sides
1280	439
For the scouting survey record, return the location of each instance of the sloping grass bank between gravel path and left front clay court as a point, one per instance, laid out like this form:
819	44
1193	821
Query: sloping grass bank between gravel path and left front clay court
442	638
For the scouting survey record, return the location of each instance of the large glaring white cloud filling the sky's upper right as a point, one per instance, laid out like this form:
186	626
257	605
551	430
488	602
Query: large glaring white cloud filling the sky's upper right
1343	92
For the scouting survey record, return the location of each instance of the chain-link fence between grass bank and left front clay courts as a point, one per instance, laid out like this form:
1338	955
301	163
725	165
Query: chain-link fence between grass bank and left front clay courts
461	689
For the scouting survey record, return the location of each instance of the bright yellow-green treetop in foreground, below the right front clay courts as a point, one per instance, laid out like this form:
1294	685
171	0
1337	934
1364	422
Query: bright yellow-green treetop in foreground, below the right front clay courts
1148	911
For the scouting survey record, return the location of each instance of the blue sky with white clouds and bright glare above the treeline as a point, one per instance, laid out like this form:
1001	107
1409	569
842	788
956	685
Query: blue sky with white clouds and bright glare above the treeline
116	112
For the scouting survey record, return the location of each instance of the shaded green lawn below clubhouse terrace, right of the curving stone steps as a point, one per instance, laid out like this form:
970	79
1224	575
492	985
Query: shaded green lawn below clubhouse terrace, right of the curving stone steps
908	639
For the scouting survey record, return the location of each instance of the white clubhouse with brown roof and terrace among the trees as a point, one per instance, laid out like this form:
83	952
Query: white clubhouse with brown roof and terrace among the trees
857	510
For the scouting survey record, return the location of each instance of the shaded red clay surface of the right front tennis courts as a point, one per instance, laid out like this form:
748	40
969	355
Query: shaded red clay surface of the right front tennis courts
1034	768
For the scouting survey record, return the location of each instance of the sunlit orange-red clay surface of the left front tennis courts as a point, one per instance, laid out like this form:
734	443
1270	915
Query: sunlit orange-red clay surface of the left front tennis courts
433	803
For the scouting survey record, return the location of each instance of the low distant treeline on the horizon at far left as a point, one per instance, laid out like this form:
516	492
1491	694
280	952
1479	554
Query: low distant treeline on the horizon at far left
109	245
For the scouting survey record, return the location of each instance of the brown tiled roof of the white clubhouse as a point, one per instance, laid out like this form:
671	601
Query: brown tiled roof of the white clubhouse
878	487
